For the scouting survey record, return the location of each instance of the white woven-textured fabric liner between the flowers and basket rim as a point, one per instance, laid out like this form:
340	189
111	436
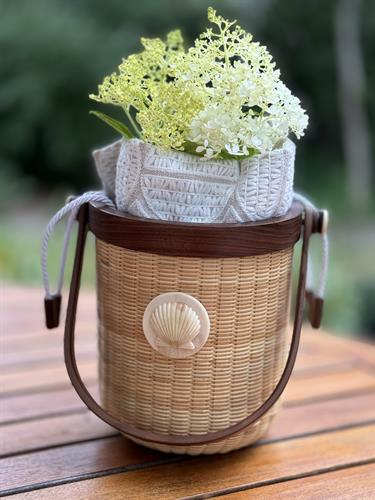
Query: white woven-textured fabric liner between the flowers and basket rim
149	182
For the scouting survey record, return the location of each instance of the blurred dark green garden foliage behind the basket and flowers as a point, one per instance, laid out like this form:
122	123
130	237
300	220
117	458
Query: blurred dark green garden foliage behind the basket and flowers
54	52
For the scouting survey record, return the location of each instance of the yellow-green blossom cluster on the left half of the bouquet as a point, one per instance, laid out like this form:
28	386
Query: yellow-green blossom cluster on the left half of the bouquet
147	83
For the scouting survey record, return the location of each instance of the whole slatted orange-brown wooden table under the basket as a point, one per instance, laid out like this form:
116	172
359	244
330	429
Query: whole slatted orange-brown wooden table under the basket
322	444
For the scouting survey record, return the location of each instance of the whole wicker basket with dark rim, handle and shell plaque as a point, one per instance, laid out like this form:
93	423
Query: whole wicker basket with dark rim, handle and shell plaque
192	325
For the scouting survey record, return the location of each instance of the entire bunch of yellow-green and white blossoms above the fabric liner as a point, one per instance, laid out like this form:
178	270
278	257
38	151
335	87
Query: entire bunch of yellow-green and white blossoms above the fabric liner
222	98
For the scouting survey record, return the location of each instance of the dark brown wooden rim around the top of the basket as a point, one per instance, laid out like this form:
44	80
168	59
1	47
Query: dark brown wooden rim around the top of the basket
195	239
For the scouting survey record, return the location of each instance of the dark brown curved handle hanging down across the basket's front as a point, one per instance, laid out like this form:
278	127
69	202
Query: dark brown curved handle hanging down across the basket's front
176	440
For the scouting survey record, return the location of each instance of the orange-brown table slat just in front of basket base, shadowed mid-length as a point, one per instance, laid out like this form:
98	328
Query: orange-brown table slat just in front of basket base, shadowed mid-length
245	468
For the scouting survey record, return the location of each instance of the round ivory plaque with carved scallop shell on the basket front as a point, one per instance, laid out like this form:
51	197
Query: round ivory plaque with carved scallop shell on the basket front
176	324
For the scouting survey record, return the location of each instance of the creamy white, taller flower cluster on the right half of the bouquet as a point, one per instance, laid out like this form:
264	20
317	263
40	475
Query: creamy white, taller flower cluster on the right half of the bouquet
247	108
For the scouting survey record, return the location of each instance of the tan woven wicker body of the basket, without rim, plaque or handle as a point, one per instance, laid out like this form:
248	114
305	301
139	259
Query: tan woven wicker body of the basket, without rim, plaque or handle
247	300
